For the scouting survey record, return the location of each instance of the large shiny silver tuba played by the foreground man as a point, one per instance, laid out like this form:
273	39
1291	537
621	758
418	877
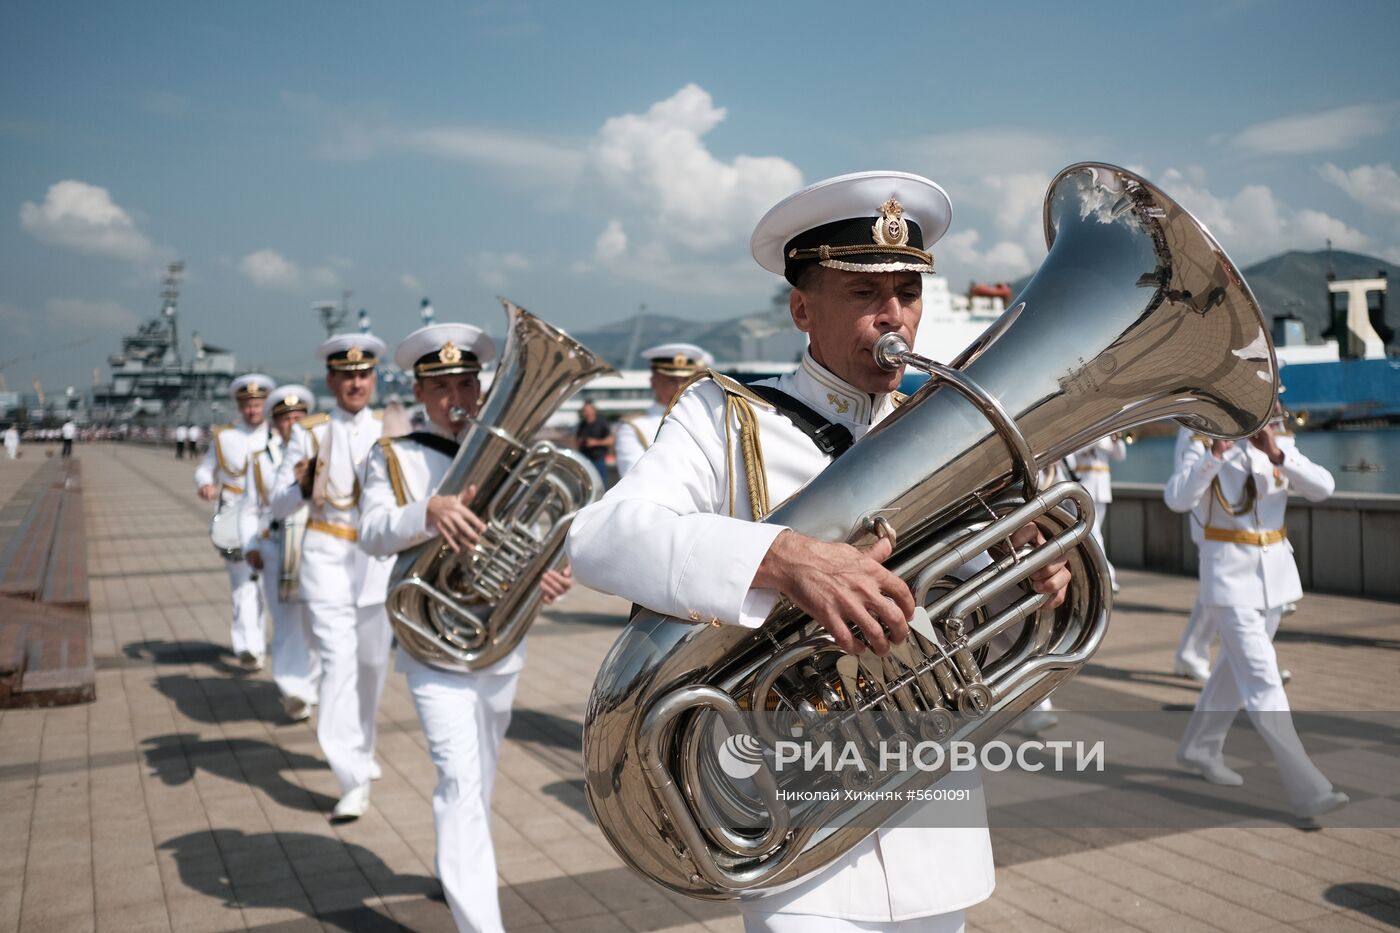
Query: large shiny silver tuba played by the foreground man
1137	315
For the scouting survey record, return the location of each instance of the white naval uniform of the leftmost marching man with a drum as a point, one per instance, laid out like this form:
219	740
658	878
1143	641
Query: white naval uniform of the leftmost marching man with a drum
226	469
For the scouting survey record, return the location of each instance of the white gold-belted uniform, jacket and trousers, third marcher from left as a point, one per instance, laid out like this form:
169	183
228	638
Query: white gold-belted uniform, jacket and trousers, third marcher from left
342	585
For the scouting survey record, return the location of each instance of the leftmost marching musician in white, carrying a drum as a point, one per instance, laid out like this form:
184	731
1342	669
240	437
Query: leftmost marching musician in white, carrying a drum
220	478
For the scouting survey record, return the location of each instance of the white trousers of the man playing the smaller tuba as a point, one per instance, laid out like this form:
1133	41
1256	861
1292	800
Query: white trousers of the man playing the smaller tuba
464	718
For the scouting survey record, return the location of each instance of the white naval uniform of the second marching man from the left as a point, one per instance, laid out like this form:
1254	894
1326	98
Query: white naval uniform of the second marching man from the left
296	668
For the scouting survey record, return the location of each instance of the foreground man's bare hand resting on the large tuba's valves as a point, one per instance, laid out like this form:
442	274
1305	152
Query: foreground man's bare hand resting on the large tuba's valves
841	586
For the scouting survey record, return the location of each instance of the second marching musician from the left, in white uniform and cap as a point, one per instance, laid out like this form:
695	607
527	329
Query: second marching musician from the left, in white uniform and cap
296	668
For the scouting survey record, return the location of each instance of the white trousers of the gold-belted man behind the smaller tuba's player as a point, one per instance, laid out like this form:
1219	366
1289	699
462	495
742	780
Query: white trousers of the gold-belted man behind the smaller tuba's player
355	654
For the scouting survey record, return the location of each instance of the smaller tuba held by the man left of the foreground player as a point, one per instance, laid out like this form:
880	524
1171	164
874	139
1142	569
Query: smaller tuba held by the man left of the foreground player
472	609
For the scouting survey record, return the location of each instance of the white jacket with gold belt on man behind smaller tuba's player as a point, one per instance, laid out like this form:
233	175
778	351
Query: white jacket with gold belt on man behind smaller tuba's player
334	568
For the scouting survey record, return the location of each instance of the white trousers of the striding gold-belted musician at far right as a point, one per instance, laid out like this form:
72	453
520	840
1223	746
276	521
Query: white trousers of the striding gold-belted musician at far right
1248	676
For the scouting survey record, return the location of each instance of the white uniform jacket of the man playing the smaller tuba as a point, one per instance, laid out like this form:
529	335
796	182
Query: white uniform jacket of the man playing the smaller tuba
400	480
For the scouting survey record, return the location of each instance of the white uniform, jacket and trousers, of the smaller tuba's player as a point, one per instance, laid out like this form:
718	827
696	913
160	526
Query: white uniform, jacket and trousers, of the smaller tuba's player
464	714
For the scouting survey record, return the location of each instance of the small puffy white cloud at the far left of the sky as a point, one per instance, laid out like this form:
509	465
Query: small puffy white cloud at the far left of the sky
85	218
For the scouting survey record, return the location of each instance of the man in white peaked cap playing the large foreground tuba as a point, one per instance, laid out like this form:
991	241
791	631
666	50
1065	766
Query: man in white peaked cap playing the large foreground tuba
855	250
